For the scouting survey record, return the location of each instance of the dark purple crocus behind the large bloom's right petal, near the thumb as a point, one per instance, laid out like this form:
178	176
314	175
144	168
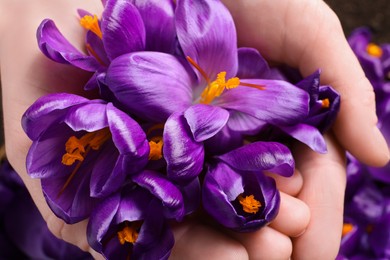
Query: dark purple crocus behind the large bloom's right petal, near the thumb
324	102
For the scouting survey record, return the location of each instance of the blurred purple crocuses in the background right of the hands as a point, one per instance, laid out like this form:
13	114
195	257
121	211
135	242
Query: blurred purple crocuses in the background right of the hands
366	232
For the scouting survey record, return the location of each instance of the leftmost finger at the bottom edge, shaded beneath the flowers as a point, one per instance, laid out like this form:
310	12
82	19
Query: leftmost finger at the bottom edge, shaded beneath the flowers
197	241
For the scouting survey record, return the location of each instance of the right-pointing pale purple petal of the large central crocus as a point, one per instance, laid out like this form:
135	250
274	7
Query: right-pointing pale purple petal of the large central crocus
280	103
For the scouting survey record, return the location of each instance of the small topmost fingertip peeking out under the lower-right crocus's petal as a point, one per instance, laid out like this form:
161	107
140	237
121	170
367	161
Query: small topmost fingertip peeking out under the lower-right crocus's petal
291	185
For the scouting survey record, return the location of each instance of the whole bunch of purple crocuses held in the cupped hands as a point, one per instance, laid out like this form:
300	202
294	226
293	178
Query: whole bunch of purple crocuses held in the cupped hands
185	120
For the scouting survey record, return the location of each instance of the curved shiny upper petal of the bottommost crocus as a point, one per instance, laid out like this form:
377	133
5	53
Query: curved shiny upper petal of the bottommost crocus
164	190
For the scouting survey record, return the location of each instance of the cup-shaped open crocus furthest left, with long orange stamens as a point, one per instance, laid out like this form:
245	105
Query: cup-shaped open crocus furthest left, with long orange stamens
82	150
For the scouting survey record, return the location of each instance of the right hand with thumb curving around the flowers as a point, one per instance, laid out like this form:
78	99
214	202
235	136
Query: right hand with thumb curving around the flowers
307	35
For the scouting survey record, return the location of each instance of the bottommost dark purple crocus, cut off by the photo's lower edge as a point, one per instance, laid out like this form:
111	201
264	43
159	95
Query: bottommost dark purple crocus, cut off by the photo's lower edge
133	223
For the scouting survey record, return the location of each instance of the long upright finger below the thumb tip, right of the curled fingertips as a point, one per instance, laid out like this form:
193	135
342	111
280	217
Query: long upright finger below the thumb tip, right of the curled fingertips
323	191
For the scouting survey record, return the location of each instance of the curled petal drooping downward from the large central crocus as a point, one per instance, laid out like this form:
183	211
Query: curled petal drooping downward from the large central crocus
184	156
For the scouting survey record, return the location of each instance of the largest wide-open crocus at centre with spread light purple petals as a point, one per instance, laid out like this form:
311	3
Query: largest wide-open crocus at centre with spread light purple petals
164	88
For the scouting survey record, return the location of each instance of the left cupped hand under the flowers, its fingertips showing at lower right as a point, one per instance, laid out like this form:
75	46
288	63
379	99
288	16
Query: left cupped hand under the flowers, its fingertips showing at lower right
28	75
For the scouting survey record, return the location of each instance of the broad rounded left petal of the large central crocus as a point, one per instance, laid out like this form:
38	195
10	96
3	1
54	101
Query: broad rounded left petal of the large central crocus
151	85
